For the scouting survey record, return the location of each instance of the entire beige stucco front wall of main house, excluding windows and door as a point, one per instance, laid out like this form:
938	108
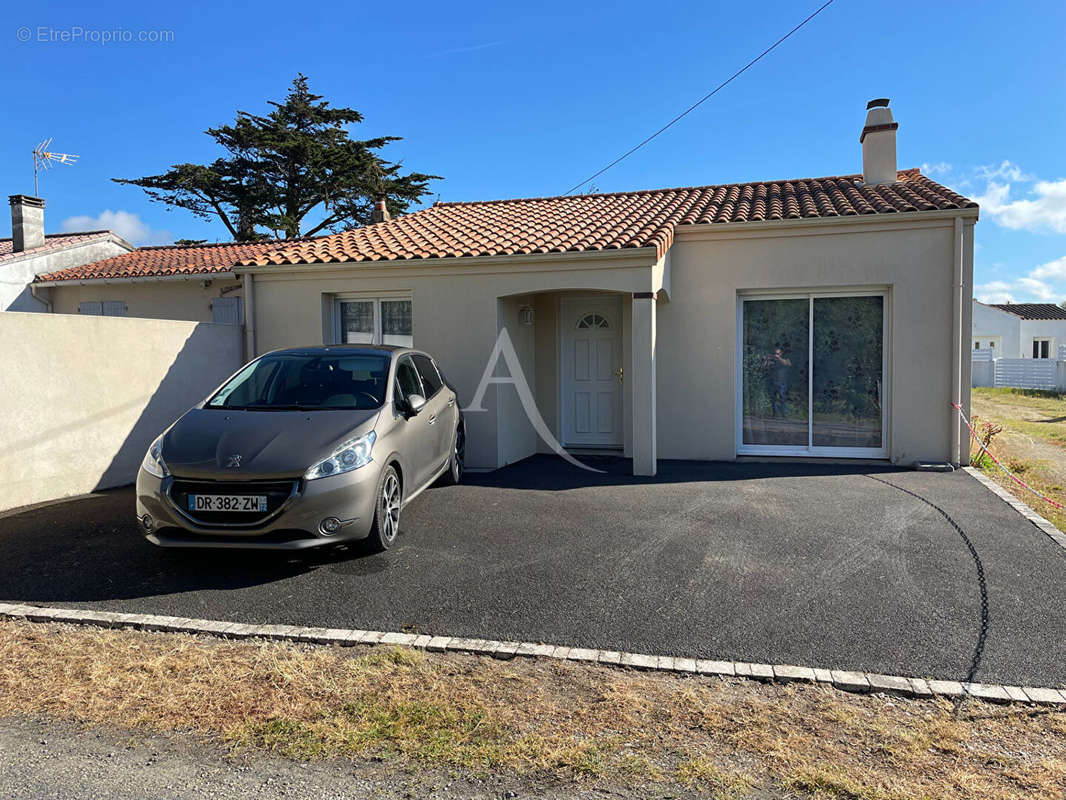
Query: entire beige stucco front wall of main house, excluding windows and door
681	348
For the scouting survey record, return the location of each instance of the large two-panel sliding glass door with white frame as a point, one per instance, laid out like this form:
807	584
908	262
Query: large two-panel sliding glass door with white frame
813	376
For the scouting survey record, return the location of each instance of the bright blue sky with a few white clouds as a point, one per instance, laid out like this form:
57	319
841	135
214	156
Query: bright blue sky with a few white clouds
526	100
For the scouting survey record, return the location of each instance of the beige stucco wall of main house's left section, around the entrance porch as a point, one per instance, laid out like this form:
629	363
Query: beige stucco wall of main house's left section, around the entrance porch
459	309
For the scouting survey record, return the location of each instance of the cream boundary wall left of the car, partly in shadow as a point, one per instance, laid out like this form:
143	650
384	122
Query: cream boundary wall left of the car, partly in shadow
84	397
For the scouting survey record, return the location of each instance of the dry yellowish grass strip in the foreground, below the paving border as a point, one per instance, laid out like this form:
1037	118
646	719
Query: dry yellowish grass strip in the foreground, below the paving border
548	721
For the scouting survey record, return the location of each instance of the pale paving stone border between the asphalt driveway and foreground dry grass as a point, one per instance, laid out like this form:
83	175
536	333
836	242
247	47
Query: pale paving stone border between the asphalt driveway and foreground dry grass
844	680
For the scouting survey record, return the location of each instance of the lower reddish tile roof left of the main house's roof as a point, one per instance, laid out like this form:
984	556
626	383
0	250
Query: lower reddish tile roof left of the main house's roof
174	260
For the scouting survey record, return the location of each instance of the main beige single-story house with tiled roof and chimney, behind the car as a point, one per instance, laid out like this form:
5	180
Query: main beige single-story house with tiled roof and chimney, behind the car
815	317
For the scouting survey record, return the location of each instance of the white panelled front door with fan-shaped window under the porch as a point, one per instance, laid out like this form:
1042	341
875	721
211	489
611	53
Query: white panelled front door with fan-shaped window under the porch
592	377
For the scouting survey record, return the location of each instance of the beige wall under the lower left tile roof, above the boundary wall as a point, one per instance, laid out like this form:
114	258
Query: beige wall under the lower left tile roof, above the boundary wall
184	298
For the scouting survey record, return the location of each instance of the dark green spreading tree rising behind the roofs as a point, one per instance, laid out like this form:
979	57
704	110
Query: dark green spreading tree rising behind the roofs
290	173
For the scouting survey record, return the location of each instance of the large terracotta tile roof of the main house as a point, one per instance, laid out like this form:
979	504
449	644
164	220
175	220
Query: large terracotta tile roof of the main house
596	222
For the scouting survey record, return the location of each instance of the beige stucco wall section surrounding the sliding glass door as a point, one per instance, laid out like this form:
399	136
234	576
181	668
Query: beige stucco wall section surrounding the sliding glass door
912	260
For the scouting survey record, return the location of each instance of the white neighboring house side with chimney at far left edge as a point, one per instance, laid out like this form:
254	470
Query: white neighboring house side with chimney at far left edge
29	253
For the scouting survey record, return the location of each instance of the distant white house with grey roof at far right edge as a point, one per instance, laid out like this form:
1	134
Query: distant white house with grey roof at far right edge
1020	330
